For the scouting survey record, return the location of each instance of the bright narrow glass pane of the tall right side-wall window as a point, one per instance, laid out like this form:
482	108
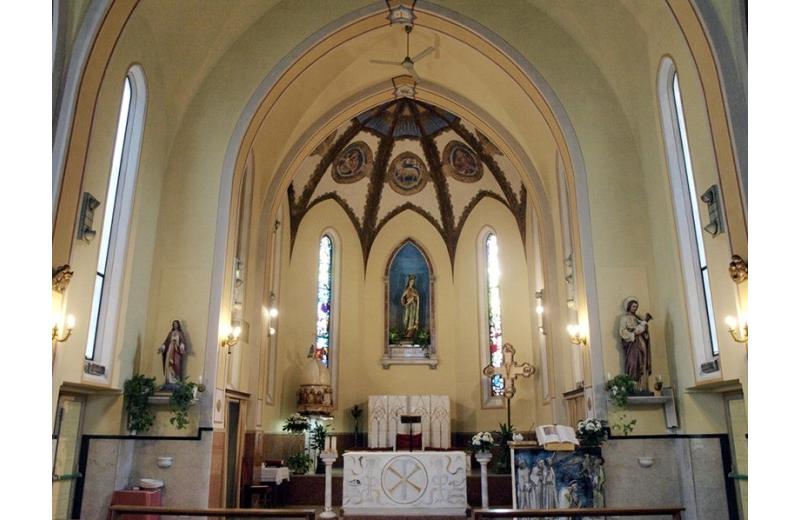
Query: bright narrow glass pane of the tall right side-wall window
698	227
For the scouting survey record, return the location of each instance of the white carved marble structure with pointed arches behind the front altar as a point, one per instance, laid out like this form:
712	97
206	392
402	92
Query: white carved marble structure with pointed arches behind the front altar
384	413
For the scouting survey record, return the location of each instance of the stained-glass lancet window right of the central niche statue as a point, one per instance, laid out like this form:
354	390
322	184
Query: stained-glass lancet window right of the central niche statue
491	322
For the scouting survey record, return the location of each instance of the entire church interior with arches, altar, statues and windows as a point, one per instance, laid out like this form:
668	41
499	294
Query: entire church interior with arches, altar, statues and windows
394	258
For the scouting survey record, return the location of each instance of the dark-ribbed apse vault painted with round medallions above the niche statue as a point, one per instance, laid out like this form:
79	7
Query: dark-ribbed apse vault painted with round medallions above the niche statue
406	155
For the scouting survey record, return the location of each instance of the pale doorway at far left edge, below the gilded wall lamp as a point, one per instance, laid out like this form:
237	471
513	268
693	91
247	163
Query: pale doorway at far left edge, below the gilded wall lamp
66	443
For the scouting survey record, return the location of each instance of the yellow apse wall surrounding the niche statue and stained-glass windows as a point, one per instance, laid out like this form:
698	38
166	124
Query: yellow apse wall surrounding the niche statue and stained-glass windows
361	327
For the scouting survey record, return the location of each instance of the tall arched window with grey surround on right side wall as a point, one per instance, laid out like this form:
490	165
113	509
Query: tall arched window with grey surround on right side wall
687	216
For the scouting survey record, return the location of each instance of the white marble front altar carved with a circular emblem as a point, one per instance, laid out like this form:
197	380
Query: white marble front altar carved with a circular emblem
405	483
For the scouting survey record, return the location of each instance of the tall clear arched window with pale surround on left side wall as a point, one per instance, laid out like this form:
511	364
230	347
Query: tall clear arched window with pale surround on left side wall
116	219
